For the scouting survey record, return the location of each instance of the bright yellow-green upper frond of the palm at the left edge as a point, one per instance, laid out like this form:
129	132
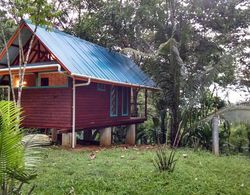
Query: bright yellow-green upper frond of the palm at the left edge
11	150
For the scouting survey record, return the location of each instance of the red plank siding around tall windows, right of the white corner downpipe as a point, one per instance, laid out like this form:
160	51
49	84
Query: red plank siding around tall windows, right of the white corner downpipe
93	107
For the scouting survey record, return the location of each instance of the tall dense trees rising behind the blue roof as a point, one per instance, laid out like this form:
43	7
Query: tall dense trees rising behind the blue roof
184	46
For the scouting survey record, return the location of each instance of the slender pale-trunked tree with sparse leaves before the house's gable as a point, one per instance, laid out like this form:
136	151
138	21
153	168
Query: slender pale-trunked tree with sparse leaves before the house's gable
40	12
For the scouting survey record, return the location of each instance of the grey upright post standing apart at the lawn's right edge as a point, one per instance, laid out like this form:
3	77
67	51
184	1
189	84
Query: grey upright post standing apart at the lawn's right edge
215	135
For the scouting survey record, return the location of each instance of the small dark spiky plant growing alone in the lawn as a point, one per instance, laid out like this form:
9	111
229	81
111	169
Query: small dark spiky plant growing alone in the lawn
165	161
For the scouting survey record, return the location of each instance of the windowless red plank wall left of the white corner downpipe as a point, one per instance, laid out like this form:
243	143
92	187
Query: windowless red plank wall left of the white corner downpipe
47	108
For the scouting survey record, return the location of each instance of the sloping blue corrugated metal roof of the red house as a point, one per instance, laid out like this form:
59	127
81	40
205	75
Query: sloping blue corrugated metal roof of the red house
83	58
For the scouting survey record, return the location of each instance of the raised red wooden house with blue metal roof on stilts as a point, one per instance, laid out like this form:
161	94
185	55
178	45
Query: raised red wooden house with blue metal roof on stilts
73	85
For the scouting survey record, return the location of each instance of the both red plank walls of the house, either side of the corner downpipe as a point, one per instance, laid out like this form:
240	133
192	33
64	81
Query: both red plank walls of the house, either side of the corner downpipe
52	108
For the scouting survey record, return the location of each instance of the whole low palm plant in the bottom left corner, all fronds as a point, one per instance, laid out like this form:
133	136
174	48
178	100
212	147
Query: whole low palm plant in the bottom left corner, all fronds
16	160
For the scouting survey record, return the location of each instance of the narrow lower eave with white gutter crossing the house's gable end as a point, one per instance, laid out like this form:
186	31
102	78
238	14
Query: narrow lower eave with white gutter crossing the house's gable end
31	68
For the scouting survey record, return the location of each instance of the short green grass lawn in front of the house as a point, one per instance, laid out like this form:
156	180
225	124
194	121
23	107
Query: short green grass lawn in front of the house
130	171
